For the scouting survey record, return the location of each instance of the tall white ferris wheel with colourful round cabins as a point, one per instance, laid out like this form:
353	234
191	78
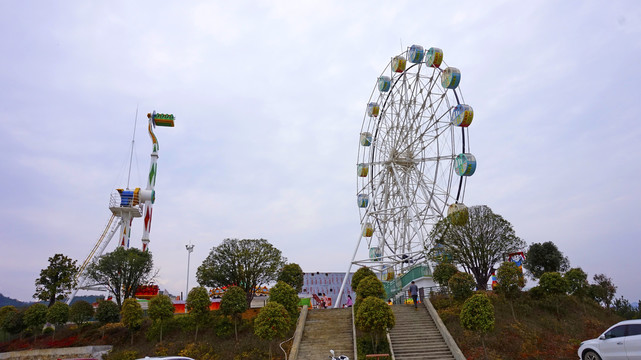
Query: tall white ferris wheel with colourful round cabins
413	159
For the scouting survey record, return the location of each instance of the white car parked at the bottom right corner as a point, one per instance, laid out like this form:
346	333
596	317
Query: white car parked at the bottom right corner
621	341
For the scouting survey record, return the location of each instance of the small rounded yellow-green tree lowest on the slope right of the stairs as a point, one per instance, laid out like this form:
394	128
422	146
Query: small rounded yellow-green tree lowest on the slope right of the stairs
477	315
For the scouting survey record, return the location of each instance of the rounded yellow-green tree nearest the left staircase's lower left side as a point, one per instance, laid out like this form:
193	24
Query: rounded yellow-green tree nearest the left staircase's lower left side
272	323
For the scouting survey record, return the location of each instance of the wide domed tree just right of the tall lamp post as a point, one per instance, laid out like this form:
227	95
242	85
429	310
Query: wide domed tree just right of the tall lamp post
247	263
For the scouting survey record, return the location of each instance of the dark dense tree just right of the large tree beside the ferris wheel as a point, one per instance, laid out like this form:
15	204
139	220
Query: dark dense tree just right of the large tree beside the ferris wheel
545	257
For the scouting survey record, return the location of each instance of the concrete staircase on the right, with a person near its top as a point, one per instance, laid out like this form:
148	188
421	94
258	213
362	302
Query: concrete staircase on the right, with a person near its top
415	335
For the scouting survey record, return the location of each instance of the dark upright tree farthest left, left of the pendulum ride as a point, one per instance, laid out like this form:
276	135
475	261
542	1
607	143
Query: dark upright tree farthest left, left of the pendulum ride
57	280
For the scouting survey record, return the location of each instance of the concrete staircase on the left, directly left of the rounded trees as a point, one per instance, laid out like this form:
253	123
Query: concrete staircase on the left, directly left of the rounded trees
327	329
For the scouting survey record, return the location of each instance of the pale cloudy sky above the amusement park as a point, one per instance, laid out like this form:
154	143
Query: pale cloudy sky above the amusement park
269	99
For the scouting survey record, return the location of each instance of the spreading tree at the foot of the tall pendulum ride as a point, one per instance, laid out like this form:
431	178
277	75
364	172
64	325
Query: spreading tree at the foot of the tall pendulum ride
122	271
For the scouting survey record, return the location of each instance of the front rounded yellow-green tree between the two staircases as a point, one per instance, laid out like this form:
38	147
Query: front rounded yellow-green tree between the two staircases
374	317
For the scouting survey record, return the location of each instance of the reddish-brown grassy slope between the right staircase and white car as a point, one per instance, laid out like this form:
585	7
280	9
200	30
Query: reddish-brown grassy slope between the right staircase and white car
538	332
